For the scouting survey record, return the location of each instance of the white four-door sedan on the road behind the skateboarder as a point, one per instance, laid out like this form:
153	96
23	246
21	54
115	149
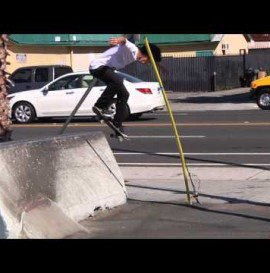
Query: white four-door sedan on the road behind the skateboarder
60	97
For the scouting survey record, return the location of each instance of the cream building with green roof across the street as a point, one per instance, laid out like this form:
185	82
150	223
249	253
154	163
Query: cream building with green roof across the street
77	50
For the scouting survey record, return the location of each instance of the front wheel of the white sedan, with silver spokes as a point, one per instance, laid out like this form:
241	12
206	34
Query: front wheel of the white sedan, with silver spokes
24	112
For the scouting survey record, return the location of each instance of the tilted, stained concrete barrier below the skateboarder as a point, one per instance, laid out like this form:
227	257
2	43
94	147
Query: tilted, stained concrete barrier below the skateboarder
76	174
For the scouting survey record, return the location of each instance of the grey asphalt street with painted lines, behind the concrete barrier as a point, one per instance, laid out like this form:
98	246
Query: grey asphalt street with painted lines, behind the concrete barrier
209	138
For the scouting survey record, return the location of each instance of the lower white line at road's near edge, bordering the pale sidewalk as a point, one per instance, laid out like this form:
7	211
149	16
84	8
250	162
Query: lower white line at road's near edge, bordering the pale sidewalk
192	164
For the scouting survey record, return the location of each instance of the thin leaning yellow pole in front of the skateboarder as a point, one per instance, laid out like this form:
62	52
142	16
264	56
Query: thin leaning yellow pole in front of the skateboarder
179	145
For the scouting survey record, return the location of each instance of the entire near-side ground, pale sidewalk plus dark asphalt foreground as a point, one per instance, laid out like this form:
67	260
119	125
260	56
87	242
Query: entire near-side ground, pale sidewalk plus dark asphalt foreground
235	203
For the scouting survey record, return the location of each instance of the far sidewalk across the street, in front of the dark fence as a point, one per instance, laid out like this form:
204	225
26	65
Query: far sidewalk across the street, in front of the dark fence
234	99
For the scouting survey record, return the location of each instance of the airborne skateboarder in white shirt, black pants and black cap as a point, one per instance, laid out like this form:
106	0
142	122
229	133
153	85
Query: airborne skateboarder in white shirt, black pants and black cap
103	68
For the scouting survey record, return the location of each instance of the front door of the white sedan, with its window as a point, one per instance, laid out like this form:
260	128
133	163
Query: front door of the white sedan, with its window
60	98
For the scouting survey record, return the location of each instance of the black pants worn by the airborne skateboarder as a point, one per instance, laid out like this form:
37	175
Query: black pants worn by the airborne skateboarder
115	86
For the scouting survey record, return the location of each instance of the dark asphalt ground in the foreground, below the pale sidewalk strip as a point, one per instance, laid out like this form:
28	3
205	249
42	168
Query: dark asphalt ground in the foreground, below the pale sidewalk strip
171	220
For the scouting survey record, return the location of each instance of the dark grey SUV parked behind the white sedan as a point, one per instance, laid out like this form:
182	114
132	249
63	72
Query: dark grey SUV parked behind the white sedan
33	77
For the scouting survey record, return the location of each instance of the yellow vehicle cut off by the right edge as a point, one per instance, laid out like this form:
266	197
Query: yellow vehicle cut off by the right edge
260	90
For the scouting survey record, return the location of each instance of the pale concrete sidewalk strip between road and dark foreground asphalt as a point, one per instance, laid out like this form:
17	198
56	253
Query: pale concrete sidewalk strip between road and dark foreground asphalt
216	185
